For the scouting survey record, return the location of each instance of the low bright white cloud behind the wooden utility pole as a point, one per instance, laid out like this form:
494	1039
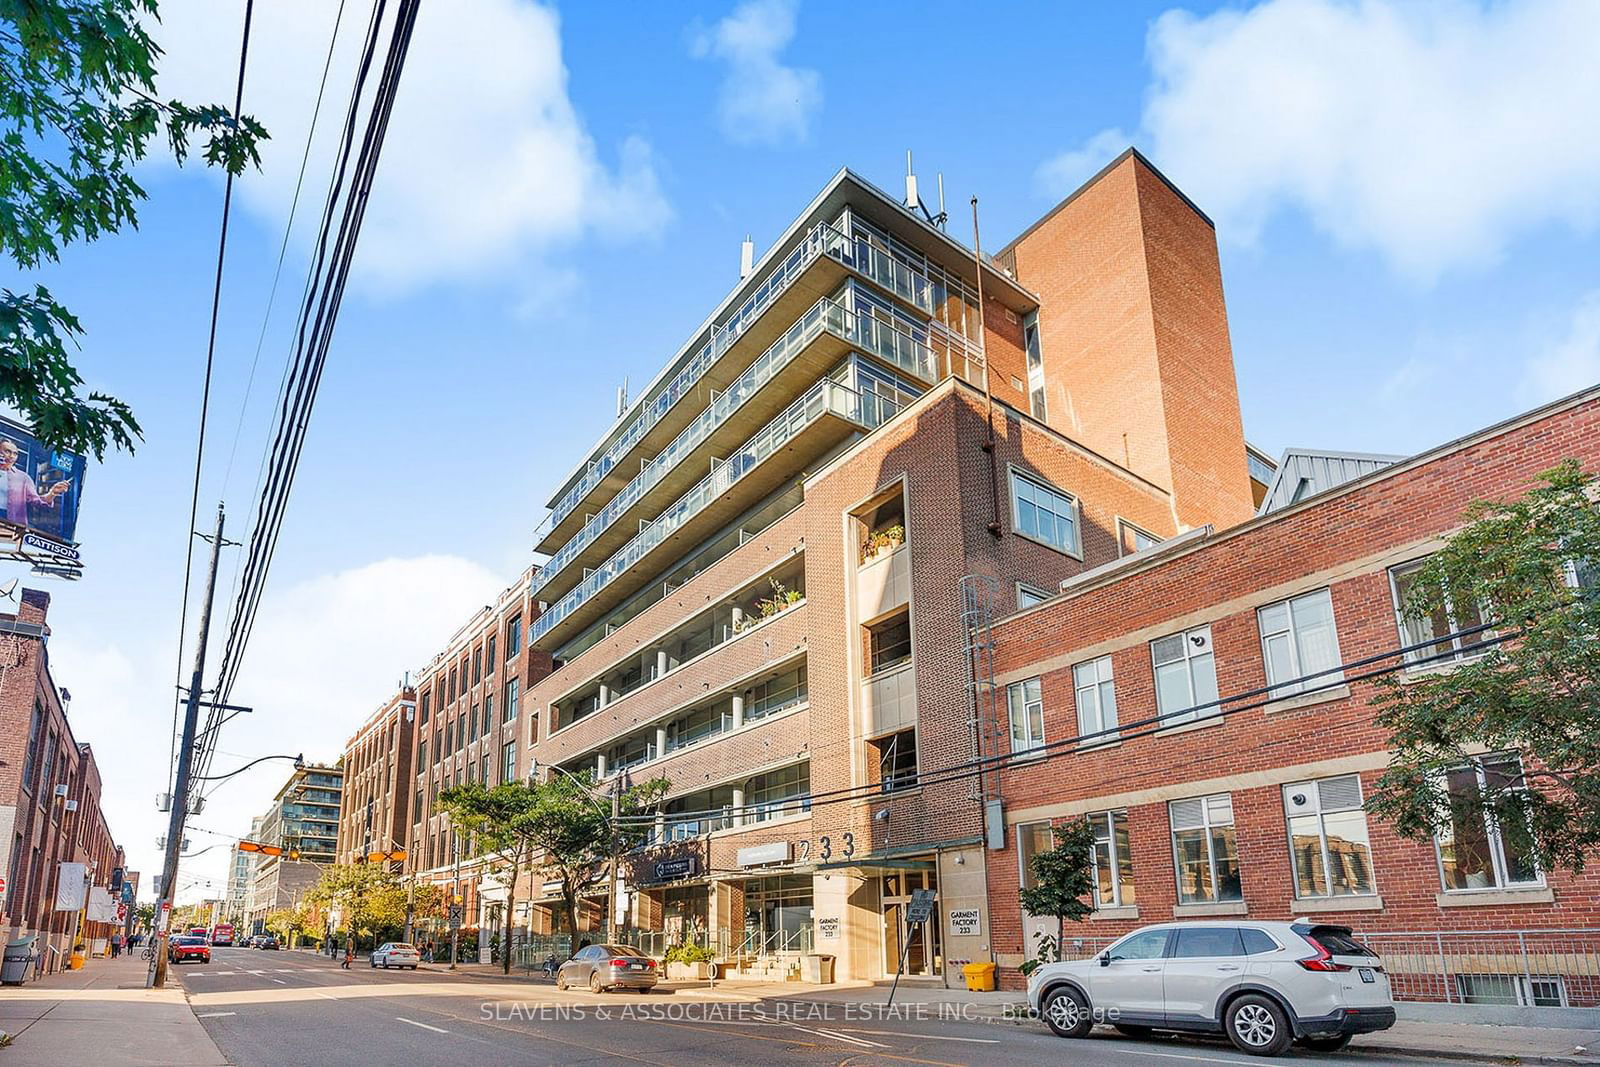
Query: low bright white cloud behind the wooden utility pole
326	653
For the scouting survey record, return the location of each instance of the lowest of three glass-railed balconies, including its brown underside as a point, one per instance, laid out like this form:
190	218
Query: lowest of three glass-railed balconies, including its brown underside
820	420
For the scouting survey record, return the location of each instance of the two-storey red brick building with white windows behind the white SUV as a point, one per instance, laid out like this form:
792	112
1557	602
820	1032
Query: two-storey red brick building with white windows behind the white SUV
1255	807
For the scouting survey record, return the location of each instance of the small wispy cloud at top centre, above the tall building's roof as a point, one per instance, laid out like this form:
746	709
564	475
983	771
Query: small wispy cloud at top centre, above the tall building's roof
762	100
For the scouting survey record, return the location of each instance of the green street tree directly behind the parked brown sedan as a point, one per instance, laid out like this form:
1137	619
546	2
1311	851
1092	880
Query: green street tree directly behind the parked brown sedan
572	831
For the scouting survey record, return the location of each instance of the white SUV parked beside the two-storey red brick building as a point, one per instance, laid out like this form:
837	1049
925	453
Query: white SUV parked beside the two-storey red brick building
1265	985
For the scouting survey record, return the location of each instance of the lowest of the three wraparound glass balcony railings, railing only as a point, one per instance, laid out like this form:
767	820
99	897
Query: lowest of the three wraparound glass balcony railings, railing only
826	398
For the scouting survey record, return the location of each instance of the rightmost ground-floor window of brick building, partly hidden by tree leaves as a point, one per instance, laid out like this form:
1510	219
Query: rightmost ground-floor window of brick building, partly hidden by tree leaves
1473	853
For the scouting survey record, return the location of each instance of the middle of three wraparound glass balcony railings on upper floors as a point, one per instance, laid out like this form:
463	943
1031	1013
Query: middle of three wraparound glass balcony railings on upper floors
889	342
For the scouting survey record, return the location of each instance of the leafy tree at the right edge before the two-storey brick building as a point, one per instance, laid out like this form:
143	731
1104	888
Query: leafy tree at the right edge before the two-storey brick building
1529	567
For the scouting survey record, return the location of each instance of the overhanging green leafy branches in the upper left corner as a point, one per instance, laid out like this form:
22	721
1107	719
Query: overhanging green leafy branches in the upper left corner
76	118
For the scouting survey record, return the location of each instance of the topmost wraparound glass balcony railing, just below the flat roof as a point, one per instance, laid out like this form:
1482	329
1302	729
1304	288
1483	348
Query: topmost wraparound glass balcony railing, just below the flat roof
874	263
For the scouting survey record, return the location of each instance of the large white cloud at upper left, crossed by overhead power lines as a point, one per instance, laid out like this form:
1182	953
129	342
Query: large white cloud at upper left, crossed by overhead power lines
486	161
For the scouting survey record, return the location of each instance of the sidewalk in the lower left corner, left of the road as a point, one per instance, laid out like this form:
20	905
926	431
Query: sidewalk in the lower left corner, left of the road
103	1015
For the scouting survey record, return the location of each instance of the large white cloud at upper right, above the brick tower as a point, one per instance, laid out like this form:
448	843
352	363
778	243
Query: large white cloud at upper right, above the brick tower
1430	134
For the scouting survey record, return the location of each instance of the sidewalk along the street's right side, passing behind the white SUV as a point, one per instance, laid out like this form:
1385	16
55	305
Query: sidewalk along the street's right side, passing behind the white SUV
1446	1041
